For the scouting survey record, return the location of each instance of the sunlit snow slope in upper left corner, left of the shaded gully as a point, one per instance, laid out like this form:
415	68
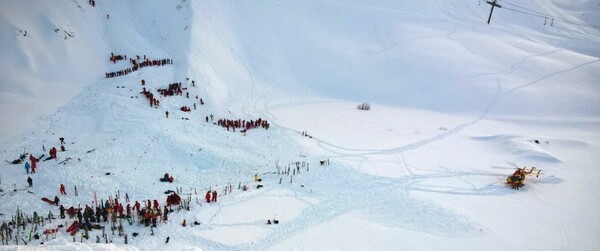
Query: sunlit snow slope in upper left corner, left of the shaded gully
43	67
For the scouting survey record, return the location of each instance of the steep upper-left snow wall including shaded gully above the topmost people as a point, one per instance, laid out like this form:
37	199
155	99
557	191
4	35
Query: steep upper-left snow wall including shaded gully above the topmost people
52	50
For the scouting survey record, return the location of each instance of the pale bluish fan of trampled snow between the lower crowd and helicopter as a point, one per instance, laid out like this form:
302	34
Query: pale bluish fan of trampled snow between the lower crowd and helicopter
351	191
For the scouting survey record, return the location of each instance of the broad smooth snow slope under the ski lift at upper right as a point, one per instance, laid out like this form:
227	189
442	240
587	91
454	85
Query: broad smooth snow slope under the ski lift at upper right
432	55
